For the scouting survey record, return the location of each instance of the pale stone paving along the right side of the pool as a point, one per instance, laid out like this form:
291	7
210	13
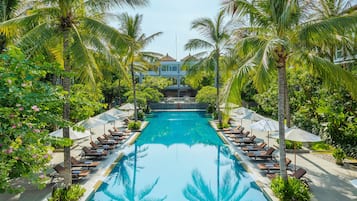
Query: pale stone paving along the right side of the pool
327	180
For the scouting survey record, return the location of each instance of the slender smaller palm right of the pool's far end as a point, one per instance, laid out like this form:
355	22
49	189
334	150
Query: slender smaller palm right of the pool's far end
216	35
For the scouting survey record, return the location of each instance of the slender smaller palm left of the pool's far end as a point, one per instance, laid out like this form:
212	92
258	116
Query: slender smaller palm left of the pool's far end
130	26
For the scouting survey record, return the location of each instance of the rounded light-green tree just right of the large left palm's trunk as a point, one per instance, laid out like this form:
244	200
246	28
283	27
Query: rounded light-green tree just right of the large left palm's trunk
85	101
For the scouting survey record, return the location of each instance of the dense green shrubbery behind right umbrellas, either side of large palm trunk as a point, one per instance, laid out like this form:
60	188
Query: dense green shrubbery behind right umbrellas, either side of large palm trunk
328	112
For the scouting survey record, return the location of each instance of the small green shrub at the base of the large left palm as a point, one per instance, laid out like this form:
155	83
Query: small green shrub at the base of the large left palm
71	193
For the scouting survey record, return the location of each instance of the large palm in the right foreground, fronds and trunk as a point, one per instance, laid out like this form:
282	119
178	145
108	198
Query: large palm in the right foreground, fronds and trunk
278	39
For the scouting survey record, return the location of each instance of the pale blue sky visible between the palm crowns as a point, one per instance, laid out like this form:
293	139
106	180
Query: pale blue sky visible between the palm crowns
173	18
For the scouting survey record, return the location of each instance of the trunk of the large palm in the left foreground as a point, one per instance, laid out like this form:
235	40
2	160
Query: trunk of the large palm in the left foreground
66	109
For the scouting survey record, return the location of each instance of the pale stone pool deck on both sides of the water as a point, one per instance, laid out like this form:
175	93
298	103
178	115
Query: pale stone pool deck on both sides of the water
327	180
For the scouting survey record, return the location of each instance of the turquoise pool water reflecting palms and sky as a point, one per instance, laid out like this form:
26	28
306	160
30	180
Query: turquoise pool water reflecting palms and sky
178	157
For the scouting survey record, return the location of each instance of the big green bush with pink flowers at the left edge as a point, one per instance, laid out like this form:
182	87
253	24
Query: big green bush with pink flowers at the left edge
27	108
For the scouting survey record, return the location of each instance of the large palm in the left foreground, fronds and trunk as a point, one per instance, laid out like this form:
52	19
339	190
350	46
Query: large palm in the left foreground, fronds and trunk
72	30
